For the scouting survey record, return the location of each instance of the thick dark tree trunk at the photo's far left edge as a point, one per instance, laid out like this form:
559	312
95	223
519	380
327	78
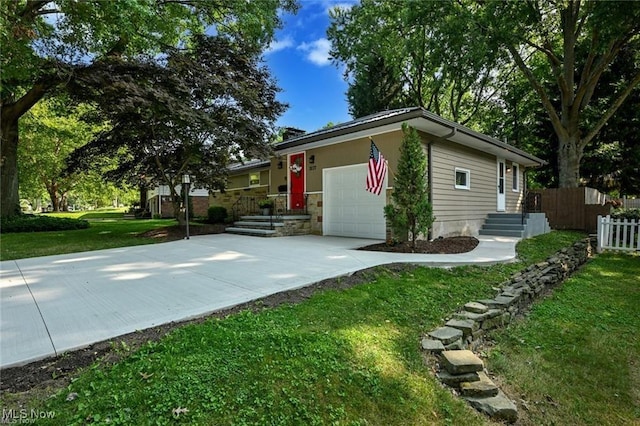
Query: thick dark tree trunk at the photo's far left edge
9	198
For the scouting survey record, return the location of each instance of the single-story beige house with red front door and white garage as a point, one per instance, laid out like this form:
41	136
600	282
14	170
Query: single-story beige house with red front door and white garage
323	174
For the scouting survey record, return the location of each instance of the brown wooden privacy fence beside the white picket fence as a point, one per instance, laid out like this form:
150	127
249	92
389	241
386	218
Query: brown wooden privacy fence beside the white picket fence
573	208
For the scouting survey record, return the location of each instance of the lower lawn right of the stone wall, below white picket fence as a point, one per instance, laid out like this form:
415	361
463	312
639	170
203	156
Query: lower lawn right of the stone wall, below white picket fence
576	360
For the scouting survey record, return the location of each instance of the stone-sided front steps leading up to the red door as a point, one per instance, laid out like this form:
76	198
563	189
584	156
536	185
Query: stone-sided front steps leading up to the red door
272	226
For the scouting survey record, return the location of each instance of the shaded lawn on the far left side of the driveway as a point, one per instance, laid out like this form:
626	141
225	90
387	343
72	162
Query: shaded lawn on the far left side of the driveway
102	234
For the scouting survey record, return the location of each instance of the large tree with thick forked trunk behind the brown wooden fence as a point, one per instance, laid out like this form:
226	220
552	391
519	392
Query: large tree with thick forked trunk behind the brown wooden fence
563	49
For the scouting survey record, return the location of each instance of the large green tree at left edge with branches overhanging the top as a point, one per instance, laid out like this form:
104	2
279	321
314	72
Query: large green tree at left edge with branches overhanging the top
46	44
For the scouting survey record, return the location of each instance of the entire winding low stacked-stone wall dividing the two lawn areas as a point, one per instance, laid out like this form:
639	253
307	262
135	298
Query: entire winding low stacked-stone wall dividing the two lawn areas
453	344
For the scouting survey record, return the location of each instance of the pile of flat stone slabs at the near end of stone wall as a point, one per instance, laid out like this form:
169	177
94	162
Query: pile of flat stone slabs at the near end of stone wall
464	371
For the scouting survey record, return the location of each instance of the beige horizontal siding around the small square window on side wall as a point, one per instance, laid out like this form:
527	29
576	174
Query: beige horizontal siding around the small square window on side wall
461	211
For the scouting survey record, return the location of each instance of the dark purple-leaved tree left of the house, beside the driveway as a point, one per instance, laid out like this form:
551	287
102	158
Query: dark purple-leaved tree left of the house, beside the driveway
191	113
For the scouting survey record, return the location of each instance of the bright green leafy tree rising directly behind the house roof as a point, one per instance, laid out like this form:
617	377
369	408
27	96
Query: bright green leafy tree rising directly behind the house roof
413	54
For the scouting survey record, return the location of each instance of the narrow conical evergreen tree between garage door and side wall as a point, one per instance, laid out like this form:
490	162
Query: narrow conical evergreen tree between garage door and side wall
410	211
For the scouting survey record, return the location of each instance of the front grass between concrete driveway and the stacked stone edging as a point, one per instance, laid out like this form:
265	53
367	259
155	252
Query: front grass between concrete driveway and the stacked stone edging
342	357
